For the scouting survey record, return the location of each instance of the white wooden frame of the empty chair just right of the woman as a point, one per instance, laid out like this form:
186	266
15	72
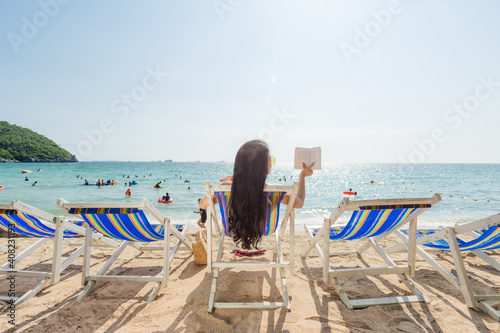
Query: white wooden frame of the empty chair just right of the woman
403	272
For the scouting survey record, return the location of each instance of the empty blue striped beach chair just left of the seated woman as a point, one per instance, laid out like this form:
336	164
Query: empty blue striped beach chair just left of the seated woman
128	223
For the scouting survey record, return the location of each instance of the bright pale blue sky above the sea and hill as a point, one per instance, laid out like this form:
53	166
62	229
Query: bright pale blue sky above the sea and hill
365	80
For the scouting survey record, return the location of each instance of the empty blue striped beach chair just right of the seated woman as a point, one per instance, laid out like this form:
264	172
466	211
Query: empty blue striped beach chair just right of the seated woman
371	220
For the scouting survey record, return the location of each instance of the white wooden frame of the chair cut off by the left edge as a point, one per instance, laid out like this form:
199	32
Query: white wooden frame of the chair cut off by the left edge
59	224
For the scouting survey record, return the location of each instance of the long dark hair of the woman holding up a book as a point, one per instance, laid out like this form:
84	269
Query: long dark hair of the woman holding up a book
246	205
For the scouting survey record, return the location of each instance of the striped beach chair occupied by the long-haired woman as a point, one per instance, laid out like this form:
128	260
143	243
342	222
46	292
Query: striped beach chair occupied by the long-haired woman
274	226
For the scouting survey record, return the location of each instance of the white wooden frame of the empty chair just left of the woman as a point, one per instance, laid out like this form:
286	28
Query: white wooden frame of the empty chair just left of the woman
160	280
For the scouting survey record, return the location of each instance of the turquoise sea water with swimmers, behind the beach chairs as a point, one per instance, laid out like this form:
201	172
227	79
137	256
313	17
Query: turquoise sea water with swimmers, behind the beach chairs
460	185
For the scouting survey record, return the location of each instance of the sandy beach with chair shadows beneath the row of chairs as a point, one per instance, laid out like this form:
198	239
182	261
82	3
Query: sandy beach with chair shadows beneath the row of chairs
182	305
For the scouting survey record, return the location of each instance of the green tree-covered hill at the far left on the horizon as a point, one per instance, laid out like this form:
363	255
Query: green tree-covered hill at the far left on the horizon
19	144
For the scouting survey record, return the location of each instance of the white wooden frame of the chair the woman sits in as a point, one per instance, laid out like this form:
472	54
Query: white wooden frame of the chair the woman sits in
215	266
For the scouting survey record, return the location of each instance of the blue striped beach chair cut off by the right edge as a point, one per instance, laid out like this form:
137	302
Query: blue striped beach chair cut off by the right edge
482	235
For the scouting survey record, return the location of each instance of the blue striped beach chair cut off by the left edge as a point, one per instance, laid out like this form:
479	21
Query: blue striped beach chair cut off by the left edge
21	219
